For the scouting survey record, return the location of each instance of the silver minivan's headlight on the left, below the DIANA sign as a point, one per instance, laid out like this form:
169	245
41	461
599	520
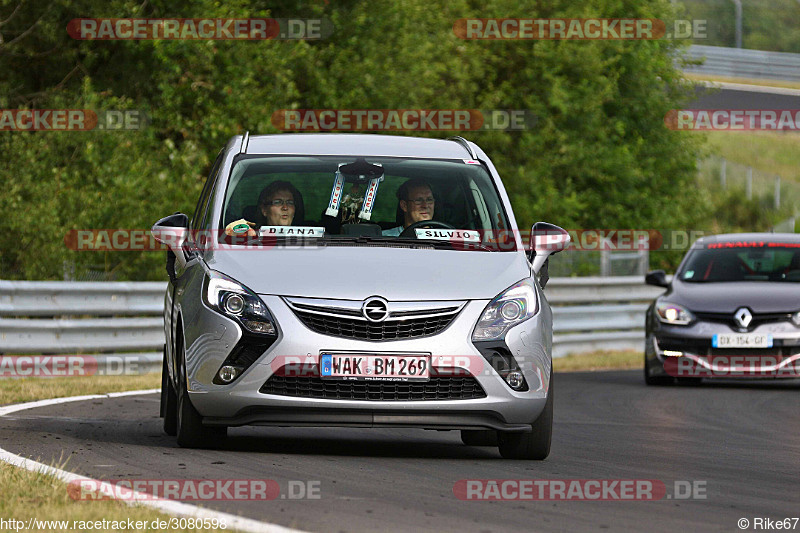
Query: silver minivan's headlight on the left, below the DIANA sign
236	301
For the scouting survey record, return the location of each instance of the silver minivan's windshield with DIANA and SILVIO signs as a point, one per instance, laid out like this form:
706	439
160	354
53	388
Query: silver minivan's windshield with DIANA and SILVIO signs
380	200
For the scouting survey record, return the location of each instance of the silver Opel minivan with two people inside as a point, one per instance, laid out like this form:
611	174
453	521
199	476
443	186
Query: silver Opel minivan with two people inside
358	281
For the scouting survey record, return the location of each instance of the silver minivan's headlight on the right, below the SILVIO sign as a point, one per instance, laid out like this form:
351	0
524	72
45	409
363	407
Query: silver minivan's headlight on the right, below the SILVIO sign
511	307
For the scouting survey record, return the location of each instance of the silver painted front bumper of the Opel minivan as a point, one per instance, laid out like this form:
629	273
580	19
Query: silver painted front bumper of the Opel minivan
242	403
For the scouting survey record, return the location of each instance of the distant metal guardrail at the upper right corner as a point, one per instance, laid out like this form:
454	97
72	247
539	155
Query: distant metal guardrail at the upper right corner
742	63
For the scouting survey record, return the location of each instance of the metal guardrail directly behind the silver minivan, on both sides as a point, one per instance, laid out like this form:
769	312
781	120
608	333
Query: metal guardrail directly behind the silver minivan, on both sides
110	317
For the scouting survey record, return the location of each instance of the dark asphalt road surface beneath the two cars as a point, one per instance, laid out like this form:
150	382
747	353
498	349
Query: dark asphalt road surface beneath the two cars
738	441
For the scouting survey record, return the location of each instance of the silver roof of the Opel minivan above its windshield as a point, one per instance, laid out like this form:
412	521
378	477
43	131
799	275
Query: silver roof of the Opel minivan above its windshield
356	144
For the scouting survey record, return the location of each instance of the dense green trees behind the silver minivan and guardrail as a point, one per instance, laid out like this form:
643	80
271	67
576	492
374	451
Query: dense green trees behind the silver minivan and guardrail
599	156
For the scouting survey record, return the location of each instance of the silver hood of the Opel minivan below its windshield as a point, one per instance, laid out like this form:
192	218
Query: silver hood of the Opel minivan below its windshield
355	273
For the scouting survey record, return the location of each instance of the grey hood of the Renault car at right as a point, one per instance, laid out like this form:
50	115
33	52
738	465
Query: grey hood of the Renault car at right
727	297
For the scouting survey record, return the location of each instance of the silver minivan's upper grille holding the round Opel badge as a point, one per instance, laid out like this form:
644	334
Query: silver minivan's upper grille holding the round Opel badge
353	328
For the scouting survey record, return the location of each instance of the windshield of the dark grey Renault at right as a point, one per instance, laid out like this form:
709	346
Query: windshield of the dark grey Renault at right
743	261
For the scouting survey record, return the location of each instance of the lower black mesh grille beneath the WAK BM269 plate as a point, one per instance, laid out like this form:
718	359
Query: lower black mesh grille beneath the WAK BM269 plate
444	387
